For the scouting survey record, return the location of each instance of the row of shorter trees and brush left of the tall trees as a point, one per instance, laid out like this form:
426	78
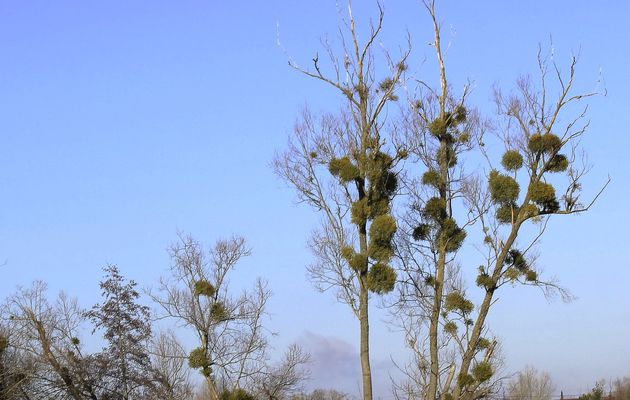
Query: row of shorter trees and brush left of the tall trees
43	354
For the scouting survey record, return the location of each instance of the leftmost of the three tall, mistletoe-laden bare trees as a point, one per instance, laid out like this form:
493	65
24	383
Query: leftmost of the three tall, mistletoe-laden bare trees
344	166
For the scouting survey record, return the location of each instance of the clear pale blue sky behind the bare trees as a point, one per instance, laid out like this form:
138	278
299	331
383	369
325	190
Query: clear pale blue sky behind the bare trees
122	123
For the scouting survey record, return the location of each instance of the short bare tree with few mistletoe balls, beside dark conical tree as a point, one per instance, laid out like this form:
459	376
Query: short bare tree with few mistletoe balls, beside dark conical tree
231	348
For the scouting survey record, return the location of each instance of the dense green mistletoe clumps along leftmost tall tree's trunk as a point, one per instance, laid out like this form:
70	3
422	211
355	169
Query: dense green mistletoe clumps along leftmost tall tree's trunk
376	183
